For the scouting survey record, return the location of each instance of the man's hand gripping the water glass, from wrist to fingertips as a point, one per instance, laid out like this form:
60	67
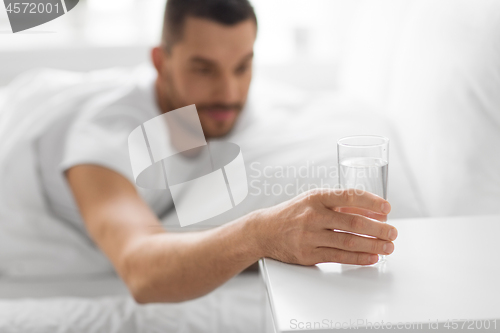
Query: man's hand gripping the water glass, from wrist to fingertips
327	226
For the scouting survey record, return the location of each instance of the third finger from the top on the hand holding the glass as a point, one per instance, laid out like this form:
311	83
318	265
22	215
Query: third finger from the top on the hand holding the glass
354	243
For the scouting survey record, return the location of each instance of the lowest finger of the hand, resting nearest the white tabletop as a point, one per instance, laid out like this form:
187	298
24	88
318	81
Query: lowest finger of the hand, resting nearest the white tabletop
325	254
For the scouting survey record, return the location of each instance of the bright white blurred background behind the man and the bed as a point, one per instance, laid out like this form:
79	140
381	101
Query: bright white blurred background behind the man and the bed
430	68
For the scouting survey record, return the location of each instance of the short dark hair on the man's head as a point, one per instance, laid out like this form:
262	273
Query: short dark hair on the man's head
228	12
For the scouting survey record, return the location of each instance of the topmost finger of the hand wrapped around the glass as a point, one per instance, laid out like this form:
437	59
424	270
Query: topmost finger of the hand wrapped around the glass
353	198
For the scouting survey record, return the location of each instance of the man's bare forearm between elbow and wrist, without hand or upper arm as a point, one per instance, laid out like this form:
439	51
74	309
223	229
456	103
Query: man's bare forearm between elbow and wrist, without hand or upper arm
174	267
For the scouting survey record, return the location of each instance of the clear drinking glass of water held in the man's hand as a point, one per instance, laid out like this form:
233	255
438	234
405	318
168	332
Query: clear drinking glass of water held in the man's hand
364	165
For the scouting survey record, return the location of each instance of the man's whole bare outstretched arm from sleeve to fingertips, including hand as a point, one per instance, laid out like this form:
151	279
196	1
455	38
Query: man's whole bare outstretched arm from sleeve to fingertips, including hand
158	266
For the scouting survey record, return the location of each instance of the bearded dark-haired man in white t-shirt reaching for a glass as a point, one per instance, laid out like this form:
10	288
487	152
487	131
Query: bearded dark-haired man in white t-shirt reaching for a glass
205	58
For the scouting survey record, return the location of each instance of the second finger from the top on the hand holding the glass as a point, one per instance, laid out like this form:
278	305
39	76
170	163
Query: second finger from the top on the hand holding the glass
361	225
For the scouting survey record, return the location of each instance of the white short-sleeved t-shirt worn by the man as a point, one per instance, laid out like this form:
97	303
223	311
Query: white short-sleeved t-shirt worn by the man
97	133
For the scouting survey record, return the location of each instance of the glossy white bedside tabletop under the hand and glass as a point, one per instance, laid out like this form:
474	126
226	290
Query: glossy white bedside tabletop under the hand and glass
442	270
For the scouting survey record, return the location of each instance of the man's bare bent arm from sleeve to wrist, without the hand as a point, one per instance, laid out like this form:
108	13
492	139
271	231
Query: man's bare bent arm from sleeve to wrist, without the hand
156	266
